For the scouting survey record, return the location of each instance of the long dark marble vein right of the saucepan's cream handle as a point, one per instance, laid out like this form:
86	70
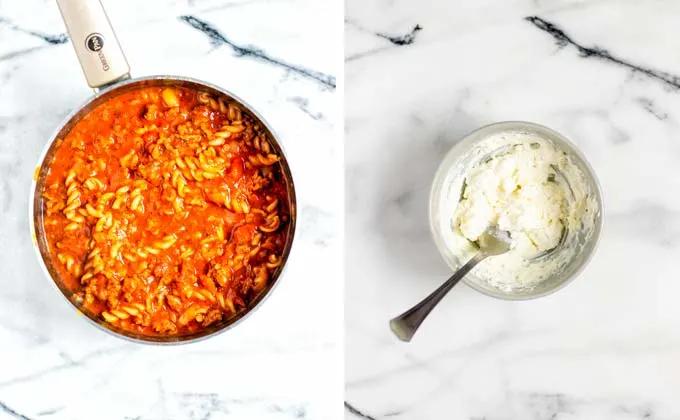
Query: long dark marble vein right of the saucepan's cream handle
217	38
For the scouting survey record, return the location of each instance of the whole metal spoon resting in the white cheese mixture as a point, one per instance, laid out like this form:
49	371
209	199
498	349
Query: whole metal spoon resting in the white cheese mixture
492	242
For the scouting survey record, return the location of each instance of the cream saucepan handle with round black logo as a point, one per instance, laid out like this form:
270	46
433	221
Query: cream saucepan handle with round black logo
96	45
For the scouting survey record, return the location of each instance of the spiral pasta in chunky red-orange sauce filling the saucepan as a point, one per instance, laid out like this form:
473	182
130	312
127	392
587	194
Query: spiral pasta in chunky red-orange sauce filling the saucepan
165	210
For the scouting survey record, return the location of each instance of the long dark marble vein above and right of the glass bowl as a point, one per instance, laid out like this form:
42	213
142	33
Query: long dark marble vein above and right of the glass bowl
563	40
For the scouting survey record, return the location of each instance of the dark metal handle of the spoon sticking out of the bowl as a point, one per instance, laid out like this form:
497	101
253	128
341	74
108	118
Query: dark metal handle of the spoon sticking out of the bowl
405	325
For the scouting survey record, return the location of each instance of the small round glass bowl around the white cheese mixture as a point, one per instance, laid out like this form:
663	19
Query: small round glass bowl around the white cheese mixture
443	189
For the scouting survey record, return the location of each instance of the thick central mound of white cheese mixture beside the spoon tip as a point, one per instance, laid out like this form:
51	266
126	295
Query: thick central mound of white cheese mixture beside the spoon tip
518	191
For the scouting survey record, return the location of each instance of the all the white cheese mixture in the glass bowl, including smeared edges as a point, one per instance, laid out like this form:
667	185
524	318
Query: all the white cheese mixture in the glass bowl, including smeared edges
528	187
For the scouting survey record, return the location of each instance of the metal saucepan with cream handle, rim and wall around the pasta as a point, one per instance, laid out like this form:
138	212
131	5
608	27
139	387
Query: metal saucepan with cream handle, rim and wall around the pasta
108	73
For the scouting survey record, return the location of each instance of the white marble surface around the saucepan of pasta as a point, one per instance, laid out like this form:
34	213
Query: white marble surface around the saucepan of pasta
284	361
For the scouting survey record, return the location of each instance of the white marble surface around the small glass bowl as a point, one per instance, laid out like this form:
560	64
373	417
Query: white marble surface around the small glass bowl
607	346
